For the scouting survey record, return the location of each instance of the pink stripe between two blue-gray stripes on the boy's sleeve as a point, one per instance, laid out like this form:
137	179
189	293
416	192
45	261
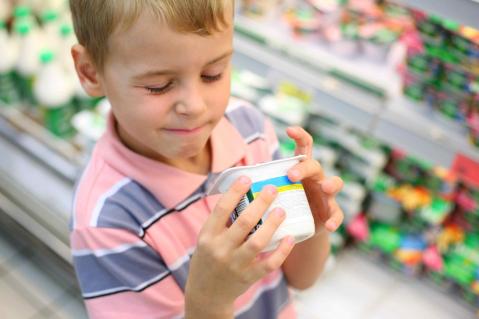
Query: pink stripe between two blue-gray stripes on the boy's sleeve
100	238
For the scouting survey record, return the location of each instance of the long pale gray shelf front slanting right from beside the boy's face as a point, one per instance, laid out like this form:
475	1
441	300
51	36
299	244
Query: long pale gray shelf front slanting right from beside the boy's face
397	121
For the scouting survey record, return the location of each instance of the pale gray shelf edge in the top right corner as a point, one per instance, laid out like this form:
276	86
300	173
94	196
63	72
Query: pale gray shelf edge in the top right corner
465	12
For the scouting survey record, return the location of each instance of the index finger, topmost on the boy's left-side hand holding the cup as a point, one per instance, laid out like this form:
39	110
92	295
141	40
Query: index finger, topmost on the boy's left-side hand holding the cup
226	204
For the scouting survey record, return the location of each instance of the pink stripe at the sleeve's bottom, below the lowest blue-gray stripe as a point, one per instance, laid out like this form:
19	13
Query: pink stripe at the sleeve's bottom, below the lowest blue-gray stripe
162	300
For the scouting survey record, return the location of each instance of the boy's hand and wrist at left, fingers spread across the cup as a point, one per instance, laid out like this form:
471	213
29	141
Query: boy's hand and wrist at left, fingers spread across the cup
225	263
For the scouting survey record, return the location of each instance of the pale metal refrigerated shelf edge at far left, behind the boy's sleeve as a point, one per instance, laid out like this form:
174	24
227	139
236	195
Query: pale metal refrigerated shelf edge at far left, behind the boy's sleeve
36	180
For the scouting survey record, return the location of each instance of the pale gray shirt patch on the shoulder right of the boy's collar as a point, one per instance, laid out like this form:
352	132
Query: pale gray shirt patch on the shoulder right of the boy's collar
249	122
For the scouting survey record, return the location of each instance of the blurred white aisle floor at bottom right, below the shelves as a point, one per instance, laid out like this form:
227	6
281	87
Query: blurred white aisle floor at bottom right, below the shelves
357	288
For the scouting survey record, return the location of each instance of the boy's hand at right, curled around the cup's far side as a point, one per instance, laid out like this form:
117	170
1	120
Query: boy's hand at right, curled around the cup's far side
320	191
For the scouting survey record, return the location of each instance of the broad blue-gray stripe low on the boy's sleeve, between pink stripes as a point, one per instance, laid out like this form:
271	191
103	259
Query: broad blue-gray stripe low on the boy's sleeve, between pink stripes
131	270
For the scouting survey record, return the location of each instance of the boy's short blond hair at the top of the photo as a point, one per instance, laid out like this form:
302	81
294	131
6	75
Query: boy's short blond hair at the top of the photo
96	20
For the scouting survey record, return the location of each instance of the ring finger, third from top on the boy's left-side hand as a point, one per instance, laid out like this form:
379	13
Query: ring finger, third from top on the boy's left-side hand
262	237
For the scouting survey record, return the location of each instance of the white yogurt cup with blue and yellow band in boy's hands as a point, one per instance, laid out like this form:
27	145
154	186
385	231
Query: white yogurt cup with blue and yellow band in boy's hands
299	222
